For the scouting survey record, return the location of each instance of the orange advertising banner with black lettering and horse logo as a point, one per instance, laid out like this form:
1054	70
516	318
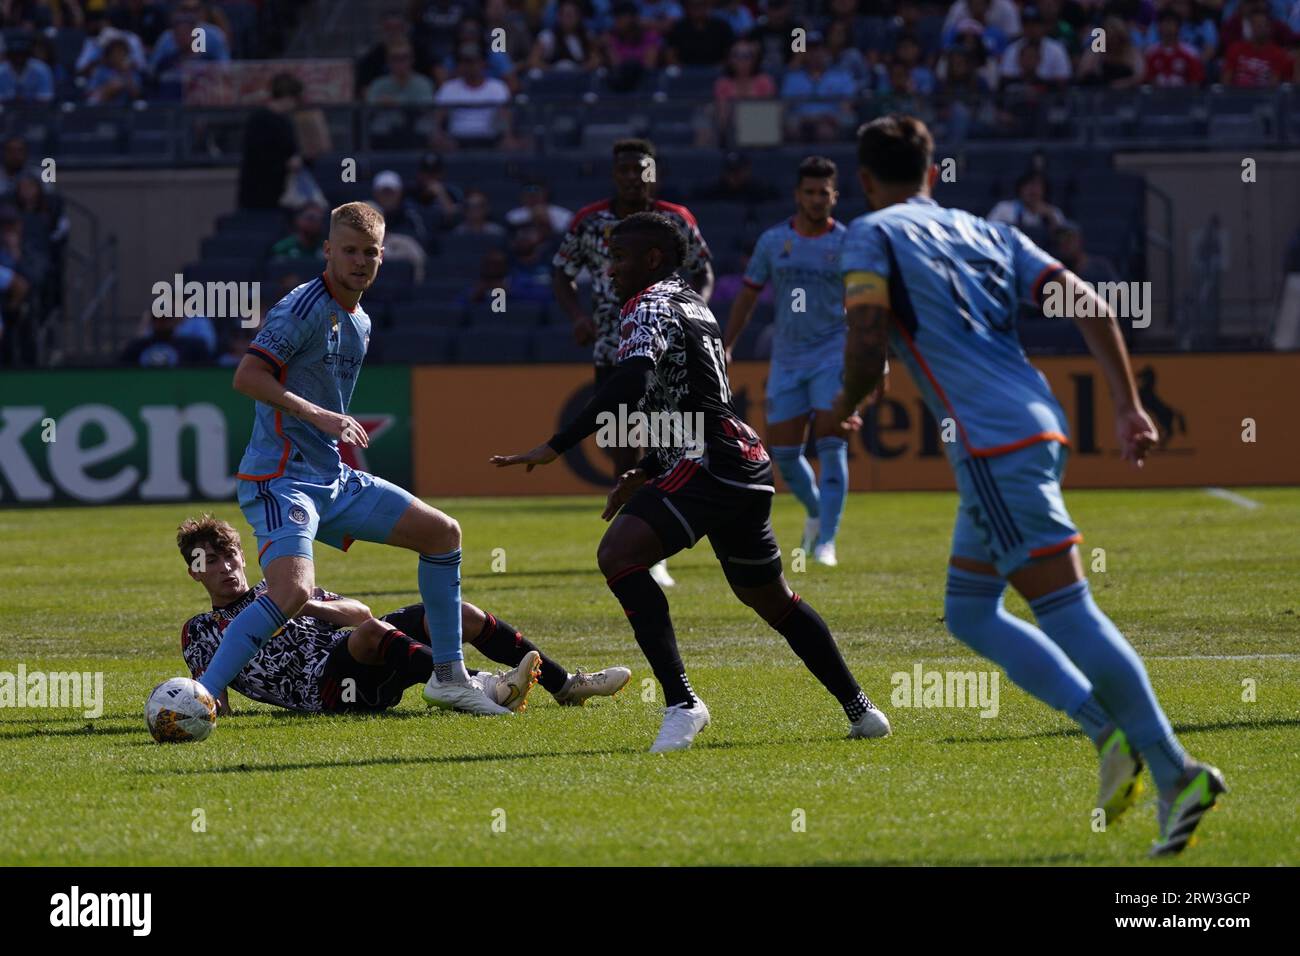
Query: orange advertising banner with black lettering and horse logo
1225	419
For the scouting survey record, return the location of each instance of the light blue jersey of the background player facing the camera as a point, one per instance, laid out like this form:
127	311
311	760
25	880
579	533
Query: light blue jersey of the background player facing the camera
811	263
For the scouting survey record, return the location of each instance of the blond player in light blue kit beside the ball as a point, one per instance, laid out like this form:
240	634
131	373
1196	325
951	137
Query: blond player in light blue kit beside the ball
294	490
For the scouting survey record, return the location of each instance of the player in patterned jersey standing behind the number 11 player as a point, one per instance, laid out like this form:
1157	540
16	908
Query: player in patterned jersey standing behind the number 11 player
587	246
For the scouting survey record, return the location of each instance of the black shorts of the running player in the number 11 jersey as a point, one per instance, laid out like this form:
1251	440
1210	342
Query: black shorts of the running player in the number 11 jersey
688	504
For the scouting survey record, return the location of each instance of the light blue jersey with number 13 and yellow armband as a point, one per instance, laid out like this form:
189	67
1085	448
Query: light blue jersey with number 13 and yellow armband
952	283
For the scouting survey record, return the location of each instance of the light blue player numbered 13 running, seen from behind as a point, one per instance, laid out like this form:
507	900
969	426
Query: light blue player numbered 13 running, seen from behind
943	288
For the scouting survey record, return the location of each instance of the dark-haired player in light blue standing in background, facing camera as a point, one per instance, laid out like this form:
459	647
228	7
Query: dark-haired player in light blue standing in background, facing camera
801	258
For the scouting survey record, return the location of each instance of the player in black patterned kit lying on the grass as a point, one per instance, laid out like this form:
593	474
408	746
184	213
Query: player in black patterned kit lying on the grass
309	665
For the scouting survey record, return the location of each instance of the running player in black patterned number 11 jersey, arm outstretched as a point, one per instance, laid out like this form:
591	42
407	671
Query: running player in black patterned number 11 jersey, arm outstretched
671	362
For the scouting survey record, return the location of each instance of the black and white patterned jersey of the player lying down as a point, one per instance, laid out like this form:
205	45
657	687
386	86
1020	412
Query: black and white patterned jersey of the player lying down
284	673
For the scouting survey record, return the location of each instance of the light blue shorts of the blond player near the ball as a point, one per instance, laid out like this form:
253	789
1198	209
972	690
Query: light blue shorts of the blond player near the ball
288	514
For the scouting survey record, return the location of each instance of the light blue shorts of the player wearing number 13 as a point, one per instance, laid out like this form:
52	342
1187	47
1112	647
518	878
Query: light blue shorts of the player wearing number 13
1012	511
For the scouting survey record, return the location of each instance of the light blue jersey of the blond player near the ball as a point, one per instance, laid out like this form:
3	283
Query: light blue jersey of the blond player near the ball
317	347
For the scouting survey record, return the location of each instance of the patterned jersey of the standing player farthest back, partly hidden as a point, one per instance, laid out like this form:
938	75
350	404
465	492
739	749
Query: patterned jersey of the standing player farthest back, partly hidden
587	246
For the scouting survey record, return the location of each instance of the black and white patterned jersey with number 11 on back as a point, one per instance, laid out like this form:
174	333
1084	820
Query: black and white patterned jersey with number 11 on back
671	326
